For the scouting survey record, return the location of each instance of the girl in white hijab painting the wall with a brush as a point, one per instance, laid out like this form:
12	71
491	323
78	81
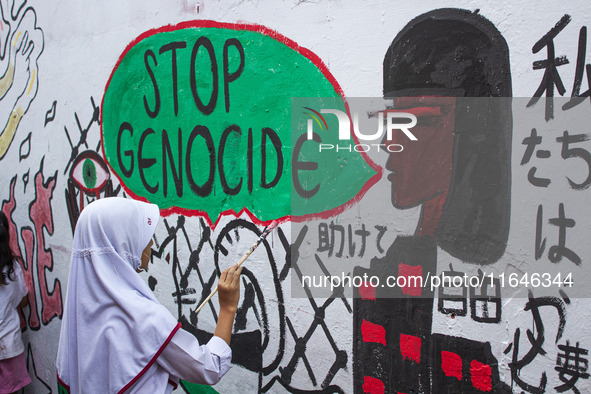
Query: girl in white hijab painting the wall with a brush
115	336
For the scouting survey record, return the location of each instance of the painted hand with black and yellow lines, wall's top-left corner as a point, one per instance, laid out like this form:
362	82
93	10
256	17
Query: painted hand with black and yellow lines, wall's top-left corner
21	44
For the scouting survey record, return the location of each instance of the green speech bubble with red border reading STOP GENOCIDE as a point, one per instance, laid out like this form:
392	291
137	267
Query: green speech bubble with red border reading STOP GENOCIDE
196	118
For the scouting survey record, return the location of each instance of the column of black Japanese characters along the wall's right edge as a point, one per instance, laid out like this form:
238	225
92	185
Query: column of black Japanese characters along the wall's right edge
549	238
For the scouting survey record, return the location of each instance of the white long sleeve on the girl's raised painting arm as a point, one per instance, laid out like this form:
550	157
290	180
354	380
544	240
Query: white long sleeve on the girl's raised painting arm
183	358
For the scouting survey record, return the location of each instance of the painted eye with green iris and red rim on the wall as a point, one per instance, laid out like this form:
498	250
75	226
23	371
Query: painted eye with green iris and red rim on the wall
89	172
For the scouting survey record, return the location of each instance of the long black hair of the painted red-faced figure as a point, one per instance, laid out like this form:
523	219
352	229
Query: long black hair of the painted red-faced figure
458	53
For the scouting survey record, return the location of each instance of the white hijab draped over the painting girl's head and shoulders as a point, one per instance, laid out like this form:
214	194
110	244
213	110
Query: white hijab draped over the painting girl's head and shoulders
113	327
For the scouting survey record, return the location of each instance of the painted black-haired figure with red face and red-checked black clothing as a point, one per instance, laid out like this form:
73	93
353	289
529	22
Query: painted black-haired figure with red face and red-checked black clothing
459	174
